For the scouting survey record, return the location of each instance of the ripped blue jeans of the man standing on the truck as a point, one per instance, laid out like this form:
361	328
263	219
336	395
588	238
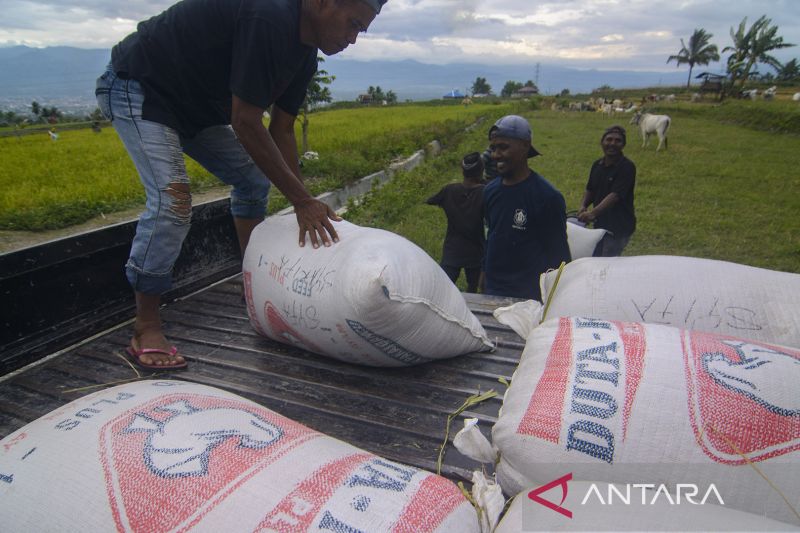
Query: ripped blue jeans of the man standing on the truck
157	152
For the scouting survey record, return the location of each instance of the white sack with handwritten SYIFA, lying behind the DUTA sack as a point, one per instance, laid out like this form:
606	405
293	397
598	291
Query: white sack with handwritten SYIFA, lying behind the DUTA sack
685	292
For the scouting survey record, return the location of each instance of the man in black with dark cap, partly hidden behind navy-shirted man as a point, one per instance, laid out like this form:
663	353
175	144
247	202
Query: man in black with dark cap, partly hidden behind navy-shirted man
465	239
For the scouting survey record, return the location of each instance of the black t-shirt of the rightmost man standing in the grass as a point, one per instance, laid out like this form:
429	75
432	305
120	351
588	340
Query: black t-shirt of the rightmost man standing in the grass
619	178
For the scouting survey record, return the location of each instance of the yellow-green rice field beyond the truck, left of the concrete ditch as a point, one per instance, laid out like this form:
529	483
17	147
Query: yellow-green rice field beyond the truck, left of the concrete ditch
49	185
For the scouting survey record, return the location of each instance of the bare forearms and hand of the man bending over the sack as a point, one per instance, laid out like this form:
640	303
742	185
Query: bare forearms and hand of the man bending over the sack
277	159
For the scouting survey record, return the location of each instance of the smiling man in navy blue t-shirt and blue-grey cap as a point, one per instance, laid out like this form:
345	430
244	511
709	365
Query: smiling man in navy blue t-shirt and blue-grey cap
525	215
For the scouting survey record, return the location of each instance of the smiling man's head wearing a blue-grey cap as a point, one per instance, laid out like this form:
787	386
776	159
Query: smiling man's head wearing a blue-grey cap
510	144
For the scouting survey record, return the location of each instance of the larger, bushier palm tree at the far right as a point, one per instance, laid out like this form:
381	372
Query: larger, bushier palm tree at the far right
753	46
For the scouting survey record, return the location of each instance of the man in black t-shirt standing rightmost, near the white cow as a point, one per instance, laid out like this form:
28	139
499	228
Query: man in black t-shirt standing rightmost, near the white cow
610	191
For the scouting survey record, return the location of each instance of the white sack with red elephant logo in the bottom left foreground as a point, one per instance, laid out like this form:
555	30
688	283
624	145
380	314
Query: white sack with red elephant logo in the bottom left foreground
171	456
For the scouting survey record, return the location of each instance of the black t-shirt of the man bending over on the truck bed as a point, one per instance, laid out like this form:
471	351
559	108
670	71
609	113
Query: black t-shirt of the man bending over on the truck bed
192	57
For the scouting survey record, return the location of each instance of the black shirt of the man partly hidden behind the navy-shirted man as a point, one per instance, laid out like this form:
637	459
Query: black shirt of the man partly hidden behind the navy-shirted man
465	239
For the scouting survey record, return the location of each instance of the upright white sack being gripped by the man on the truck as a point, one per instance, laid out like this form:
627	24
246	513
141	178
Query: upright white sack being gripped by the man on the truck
374	298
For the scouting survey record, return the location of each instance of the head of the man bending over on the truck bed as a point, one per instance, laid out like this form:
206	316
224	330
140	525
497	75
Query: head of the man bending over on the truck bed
333	25
